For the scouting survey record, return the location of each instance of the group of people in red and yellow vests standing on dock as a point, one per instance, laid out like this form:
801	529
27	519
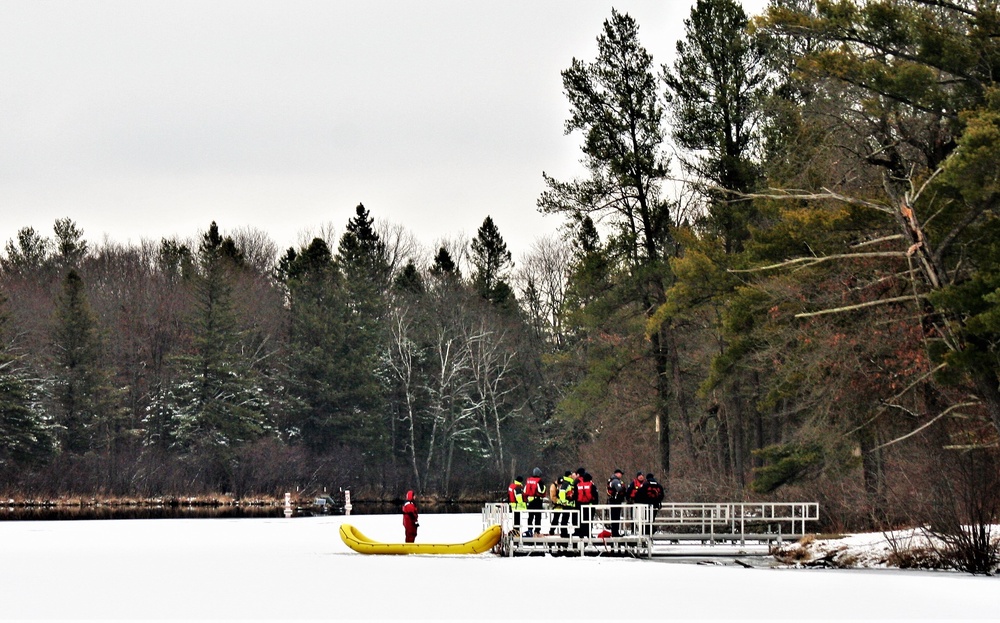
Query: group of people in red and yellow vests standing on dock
576	490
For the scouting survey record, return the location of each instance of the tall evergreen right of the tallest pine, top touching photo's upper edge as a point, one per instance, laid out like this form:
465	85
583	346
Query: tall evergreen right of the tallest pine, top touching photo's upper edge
716	90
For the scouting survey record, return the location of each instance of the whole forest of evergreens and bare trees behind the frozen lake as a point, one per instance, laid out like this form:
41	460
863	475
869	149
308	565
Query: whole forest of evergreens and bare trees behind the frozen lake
778	279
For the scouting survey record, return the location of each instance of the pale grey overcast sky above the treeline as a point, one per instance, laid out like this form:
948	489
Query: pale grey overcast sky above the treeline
152	119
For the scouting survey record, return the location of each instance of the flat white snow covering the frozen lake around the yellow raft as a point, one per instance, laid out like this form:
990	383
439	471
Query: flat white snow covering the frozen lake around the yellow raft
294	569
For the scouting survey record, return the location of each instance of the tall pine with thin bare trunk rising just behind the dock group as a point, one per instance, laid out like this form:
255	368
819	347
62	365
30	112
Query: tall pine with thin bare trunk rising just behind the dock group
614	103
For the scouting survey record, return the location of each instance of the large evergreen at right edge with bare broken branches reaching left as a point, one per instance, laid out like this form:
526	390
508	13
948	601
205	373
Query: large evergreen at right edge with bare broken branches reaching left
915	128
